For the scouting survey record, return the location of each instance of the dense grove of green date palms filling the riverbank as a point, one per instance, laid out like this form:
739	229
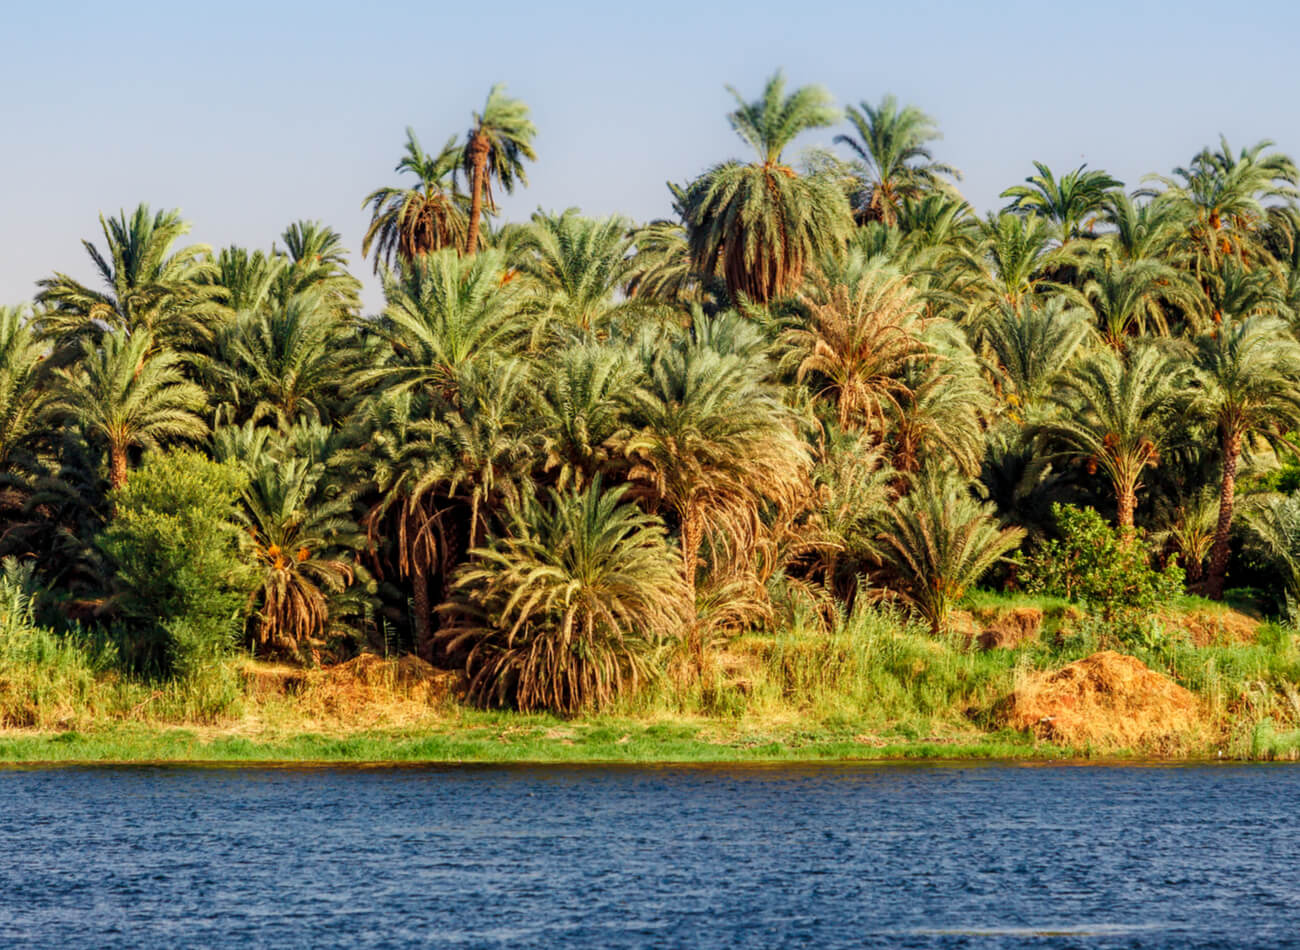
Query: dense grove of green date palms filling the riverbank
570	446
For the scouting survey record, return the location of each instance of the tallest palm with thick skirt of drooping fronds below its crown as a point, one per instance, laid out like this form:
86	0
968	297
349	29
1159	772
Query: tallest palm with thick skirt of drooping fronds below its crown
760	224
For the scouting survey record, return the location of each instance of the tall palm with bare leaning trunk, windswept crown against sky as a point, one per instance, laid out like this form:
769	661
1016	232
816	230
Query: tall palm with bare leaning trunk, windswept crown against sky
496	148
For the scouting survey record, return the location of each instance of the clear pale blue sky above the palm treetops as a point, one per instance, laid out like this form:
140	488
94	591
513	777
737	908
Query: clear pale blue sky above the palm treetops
249	116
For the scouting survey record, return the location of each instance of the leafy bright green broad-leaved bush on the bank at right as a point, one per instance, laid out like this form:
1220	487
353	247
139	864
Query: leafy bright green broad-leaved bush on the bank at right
1097	565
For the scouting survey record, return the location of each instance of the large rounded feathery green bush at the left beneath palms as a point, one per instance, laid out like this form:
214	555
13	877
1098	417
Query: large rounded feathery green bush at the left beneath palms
181	587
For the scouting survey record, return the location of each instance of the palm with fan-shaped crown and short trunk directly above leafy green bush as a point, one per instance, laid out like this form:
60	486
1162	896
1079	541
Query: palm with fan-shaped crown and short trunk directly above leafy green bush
1121	413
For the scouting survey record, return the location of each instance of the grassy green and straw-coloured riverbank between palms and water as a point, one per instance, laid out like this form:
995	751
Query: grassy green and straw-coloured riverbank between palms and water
873	688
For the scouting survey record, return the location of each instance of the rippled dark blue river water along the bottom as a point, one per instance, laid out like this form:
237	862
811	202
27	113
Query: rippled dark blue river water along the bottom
892	857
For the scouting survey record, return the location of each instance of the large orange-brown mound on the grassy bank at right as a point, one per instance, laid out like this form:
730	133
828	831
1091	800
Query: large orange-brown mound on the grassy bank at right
1108	701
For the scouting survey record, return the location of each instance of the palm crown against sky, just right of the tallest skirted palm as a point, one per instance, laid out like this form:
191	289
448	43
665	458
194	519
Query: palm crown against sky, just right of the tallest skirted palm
894	158
